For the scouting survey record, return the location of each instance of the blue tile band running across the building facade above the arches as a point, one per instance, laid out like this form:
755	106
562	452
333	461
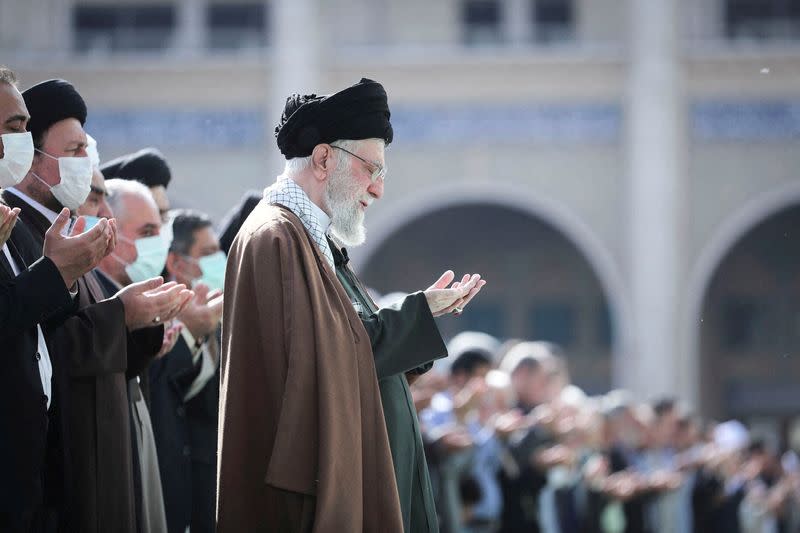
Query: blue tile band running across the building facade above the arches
518	123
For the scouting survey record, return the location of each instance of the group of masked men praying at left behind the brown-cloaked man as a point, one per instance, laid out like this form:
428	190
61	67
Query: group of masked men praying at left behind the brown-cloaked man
110	310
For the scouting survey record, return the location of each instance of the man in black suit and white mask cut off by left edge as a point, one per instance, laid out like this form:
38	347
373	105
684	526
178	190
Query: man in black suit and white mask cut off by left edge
34	295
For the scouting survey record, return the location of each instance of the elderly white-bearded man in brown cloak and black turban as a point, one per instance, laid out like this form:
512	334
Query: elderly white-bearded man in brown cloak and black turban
310	365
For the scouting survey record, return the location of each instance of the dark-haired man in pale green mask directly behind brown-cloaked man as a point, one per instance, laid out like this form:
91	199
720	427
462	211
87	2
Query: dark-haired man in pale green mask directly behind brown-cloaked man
184	385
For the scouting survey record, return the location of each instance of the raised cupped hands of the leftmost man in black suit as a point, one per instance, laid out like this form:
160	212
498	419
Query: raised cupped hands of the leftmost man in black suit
75	256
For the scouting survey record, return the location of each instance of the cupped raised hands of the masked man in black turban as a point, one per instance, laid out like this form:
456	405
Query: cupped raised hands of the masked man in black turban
153	302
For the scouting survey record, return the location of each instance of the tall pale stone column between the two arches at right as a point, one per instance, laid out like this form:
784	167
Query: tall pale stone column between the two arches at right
656	215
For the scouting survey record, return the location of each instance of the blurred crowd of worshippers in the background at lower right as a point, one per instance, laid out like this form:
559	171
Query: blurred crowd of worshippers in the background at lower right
513	446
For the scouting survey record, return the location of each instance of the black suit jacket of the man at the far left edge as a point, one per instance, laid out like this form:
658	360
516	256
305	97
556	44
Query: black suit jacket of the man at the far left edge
28	433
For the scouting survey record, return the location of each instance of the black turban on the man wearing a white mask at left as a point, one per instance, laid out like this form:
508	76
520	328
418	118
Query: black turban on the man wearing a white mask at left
49	102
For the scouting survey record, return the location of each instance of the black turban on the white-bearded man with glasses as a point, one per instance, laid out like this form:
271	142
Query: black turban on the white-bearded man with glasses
359	112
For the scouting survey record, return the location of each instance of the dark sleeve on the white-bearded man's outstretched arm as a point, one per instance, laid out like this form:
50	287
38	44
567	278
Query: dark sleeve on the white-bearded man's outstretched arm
404	337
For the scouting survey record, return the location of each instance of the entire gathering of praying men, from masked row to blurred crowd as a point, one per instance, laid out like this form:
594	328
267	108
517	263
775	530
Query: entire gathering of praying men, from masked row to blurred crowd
168	374
